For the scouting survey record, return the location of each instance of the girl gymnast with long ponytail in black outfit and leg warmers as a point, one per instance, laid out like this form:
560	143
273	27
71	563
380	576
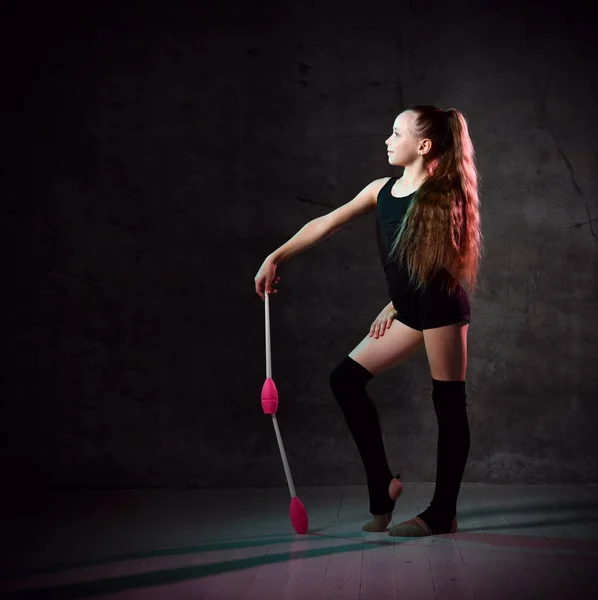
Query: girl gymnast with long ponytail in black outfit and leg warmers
429	237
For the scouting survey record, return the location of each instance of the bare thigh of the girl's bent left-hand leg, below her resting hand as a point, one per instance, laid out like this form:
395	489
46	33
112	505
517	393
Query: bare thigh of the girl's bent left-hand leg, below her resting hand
397	345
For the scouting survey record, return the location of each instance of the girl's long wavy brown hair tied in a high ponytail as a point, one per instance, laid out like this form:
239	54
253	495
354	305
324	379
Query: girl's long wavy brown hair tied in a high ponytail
442	226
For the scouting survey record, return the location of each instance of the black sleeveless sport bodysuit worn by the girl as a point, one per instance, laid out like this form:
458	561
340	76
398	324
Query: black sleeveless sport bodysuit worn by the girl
431	307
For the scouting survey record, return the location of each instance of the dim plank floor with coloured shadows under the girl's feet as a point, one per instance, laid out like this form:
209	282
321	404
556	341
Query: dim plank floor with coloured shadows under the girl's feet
514	542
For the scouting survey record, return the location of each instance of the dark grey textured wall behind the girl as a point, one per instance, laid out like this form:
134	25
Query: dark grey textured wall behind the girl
158	155
